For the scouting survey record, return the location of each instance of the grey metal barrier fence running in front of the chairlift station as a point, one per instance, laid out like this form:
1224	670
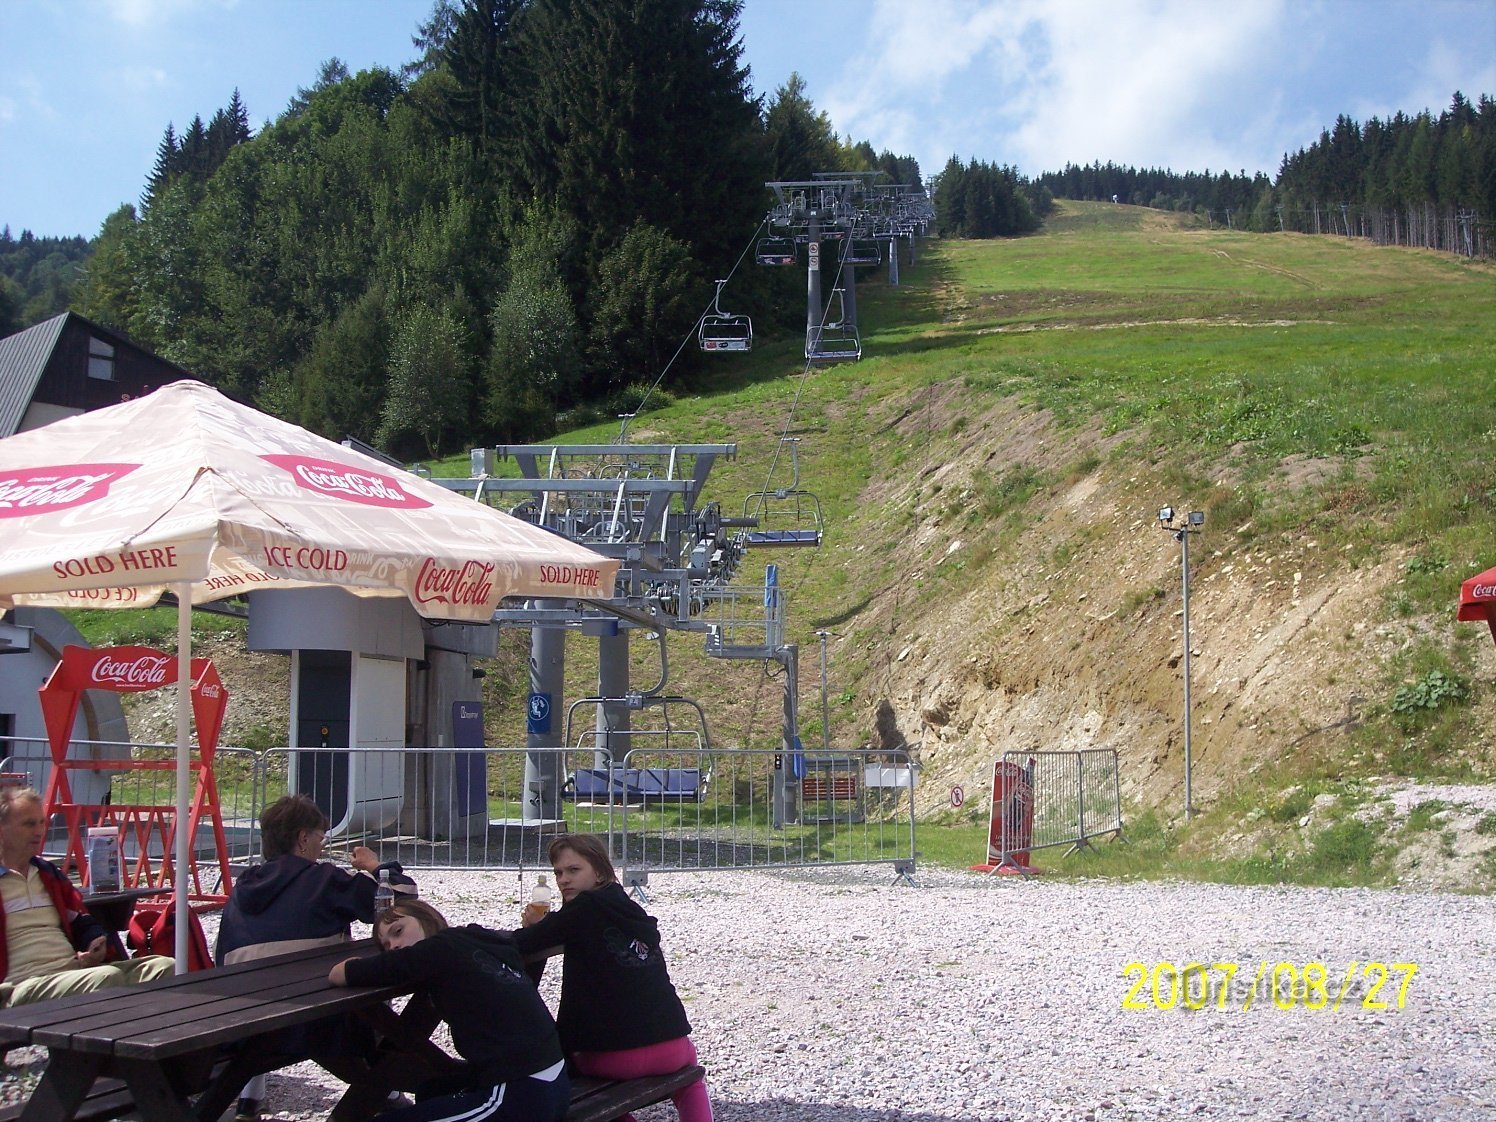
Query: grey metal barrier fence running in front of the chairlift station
662	809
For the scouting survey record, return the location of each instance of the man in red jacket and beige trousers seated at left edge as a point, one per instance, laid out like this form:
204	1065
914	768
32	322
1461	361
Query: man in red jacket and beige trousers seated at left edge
50	946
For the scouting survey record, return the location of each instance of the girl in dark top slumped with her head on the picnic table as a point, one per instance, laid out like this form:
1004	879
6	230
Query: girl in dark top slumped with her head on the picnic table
514	1070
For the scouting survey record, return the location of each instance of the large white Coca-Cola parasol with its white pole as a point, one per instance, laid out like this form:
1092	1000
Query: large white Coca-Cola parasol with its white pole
188	491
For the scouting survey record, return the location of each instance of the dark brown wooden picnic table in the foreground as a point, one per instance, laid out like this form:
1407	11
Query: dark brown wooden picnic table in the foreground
185	1046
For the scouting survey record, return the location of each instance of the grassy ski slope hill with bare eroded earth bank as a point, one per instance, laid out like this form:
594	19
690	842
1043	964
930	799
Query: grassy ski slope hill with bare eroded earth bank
994	577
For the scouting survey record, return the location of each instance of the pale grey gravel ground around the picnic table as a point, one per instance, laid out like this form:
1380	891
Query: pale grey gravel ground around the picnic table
837	996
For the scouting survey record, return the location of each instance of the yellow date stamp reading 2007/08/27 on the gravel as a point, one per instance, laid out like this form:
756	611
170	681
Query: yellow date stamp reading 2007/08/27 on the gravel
1274	985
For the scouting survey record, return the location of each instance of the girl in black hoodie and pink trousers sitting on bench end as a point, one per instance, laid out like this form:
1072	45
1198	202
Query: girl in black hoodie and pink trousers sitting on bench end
620	1017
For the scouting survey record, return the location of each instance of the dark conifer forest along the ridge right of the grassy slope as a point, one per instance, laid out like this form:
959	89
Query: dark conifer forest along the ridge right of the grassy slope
1419	180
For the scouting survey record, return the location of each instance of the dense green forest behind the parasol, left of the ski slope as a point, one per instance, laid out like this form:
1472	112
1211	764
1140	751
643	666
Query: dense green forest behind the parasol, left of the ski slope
524	222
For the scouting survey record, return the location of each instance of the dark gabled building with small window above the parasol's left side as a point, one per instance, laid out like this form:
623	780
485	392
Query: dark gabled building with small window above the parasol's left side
68	366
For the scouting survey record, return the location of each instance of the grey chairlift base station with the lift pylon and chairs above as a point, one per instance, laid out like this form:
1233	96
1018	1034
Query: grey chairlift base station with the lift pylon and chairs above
372	675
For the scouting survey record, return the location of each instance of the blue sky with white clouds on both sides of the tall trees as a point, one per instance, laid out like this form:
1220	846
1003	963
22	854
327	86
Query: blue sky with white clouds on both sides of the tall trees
91	86
